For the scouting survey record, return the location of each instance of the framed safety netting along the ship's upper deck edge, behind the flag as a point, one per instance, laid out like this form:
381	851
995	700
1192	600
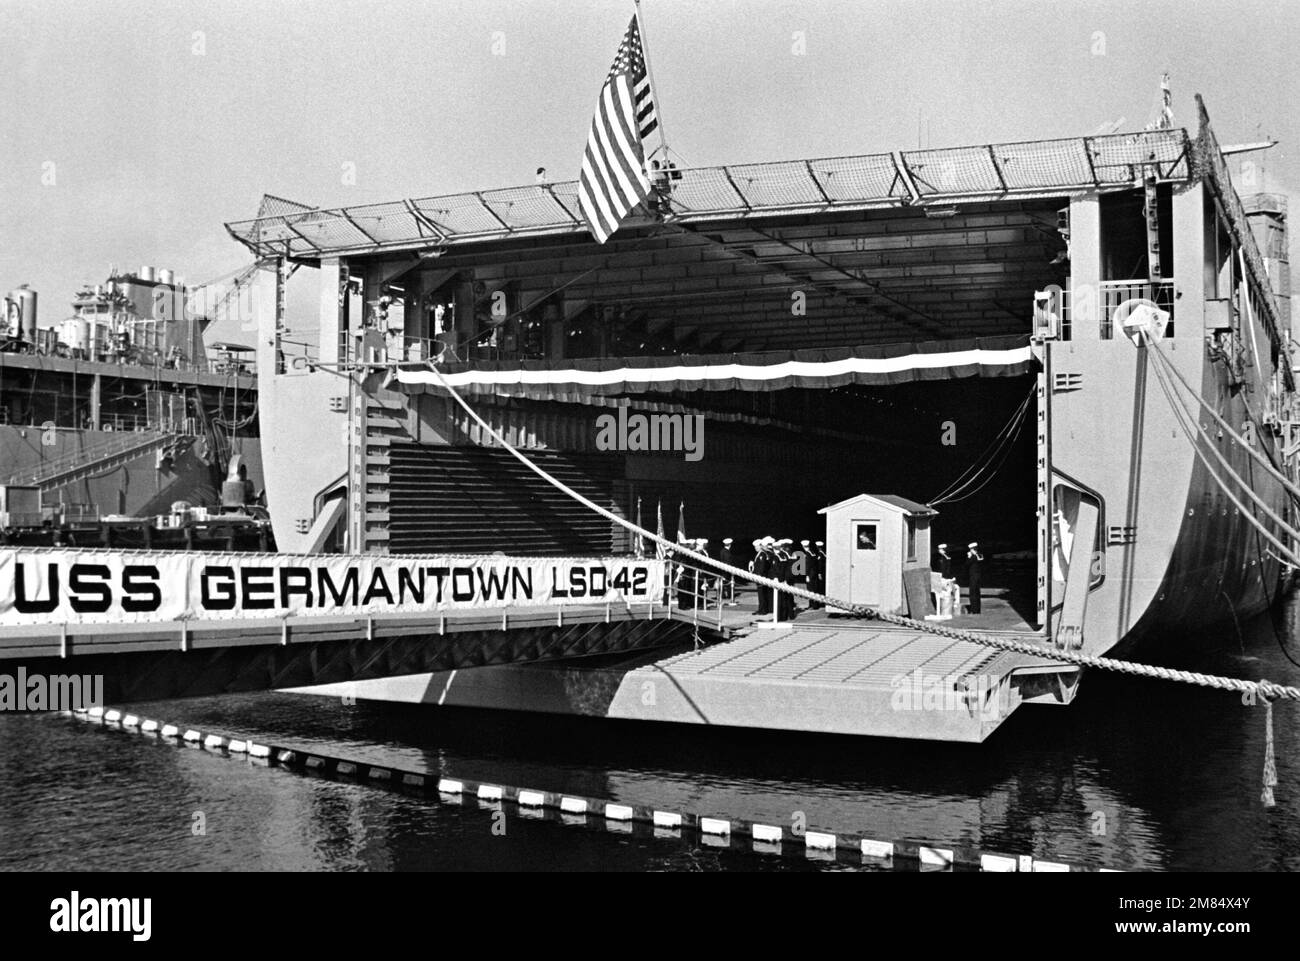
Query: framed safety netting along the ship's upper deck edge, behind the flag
700	194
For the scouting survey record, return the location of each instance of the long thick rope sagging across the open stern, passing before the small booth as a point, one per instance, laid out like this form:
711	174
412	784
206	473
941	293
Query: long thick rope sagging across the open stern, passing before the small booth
1262	689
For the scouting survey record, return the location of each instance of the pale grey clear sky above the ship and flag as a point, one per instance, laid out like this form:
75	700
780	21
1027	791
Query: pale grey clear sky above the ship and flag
132	131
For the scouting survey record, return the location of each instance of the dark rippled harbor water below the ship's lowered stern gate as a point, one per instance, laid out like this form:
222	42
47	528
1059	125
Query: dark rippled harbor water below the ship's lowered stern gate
1137	774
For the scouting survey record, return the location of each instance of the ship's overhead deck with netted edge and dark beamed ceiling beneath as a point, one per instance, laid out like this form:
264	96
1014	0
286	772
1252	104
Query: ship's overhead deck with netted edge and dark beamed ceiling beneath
956	243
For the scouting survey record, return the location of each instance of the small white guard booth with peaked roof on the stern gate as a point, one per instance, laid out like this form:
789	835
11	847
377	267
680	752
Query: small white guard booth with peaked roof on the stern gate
873	544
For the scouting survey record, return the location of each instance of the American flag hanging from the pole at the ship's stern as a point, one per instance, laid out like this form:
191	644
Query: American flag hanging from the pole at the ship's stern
614	176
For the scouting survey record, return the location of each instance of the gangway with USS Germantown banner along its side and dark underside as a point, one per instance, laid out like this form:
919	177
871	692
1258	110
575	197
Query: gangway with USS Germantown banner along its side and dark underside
162	625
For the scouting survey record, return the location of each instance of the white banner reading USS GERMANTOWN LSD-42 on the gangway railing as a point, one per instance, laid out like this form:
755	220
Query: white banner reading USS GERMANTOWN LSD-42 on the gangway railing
101	587
